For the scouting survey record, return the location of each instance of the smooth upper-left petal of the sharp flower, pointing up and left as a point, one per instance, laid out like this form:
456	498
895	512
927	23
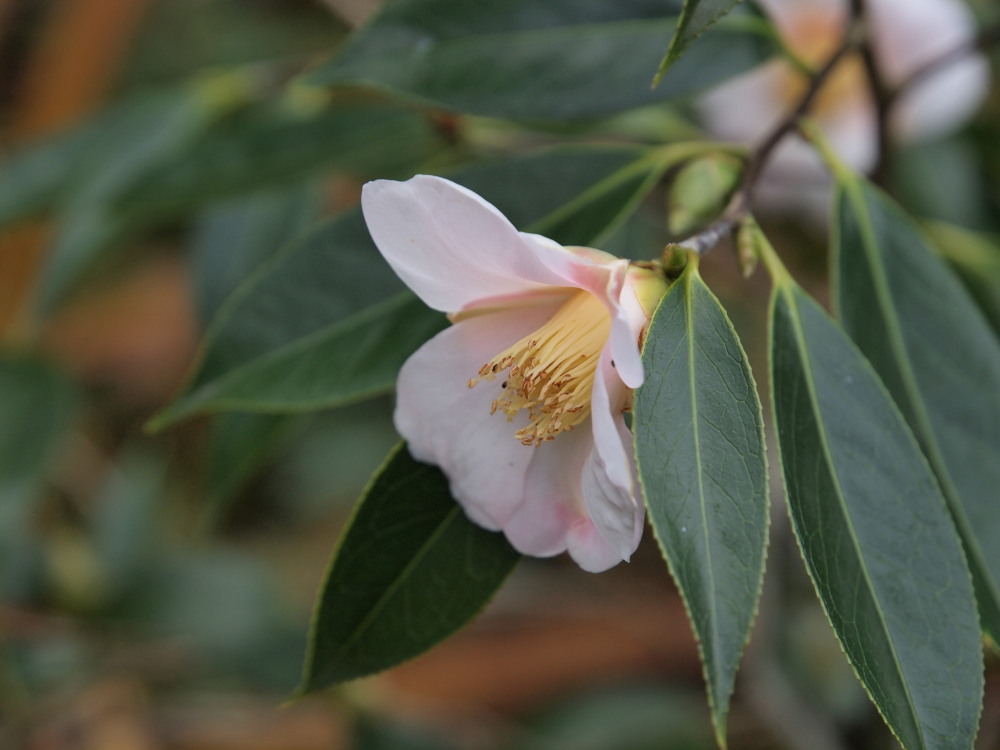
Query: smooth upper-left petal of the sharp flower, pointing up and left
452	247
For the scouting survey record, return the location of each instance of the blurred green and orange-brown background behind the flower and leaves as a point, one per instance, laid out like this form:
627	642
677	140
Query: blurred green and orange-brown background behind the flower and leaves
156	588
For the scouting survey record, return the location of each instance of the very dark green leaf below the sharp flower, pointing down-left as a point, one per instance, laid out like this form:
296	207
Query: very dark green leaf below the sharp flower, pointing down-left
410	570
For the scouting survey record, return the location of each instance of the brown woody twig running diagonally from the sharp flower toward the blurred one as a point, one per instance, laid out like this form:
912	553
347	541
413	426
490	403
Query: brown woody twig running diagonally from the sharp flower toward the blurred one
739	204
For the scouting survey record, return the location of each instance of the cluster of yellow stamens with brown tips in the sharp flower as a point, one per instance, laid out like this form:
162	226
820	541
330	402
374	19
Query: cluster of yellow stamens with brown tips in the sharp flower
550	372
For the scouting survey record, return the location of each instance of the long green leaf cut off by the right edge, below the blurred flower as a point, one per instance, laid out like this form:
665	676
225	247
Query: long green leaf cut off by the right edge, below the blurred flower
939	358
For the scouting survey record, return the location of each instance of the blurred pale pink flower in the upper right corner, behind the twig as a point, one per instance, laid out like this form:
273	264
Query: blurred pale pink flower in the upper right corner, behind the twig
905	35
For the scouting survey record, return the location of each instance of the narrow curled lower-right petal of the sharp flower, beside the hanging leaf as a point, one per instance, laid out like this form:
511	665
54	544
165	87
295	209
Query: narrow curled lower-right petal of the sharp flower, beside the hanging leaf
609	486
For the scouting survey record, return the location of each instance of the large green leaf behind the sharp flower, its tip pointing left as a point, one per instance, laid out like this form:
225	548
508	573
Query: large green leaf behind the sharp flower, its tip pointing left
321	325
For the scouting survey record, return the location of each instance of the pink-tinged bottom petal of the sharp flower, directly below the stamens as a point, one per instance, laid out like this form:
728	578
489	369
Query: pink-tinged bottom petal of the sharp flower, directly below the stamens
553	495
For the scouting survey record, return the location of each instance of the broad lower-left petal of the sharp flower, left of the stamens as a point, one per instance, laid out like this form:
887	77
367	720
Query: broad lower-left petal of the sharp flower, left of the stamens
448	424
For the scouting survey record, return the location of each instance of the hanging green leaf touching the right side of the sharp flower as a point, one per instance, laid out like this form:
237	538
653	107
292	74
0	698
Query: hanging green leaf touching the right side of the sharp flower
700	450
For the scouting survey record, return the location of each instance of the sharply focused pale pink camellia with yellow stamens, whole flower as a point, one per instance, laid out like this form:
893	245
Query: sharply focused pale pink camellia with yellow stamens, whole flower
521	400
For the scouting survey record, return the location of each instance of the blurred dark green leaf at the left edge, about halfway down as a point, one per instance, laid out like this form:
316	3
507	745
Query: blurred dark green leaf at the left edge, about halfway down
37	406
